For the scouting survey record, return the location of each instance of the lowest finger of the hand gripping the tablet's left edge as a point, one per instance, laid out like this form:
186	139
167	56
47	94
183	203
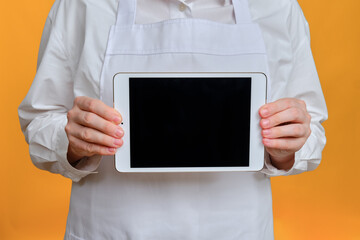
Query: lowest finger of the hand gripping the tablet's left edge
89	149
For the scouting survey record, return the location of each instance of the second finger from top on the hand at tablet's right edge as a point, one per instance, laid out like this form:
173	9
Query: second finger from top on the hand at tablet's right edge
291	115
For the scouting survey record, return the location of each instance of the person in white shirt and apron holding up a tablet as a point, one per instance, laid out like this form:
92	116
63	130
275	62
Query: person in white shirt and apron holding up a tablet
69	124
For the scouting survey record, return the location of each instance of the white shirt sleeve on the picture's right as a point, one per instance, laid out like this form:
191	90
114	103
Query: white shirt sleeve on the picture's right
303	83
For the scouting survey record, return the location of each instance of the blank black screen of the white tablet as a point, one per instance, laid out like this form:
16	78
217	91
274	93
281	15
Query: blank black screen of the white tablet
189	122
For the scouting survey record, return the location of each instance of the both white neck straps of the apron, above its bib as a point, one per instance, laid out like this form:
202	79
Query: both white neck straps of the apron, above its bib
127	12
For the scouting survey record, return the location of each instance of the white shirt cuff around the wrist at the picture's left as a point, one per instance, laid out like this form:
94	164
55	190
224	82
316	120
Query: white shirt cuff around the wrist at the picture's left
84	167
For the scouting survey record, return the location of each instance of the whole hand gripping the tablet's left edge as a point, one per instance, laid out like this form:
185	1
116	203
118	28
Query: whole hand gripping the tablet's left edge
92	129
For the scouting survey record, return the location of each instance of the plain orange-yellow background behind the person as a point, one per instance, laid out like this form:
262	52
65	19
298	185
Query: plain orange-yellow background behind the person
323	204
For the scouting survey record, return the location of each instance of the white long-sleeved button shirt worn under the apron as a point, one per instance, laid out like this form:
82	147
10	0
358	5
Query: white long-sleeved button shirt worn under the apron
71	58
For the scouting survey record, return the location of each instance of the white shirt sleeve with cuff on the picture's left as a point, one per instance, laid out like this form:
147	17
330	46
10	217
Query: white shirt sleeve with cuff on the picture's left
43	112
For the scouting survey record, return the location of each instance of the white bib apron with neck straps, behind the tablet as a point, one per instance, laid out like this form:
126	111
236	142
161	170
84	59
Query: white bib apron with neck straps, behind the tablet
175	206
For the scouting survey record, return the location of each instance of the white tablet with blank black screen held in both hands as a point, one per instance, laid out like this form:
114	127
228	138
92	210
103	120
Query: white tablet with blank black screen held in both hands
190	122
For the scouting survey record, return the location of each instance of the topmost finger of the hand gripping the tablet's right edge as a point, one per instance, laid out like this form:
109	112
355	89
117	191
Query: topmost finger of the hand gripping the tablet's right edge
280	105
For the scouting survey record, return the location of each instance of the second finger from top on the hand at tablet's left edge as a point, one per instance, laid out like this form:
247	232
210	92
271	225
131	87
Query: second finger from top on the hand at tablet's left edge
94	121
